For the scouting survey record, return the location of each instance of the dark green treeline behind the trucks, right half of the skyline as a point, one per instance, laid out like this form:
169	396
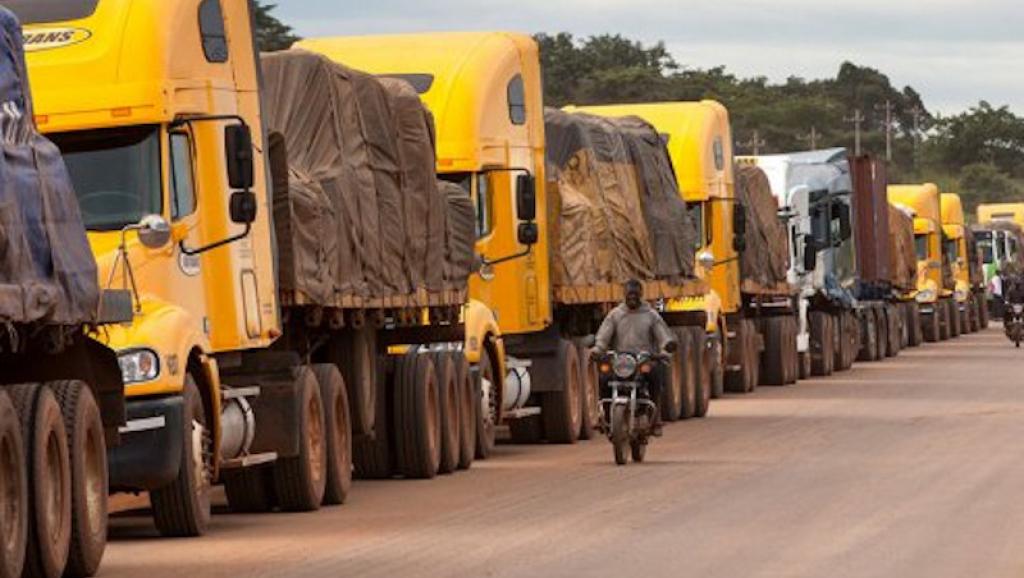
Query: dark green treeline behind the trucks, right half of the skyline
979	153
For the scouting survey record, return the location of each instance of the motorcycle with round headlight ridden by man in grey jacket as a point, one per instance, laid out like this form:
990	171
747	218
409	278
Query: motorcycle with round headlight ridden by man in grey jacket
629	415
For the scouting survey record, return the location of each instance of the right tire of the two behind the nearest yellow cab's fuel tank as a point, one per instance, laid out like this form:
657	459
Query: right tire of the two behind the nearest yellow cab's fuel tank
338	432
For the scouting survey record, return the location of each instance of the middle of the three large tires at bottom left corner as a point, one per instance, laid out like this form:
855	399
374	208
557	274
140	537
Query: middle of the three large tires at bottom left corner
50	474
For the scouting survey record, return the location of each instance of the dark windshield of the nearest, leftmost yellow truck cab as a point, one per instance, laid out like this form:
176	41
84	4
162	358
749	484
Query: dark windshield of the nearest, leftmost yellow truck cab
116	174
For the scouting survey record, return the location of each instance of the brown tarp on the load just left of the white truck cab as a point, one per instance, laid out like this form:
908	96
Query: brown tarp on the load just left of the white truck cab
766	259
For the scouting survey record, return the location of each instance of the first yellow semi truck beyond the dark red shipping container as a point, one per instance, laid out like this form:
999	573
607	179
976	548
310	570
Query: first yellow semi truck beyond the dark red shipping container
935	305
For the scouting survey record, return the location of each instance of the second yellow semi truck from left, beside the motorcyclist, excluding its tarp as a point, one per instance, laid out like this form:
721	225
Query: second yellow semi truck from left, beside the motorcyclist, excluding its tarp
485	93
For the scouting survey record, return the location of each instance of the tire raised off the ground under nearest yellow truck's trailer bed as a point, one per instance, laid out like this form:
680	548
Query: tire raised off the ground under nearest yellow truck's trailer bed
355	352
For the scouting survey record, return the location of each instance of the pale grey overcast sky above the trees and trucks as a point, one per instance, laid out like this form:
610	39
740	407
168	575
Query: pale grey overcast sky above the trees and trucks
955	53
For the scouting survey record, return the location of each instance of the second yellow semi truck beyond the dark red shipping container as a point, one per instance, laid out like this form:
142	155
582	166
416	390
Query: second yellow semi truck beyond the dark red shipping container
956	232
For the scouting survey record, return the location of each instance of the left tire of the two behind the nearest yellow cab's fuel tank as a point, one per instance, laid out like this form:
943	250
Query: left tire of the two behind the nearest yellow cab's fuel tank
301	481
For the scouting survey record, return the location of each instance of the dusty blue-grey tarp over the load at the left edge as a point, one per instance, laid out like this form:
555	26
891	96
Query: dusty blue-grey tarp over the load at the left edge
48	272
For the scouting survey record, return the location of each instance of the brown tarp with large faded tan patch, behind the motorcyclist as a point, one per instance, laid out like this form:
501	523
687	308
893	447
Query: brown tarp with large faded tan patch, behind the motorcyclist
610	198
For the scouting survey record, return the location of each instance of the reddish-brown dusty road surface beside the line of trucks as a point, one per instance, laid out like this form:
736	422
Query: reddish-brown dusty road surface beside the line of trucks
910	468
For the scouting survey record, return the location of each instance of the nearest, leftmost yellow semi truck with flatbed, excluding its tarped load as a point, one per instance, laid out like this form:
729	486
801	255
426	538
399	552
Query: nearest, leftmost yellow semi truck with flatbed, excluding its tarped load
157	108
